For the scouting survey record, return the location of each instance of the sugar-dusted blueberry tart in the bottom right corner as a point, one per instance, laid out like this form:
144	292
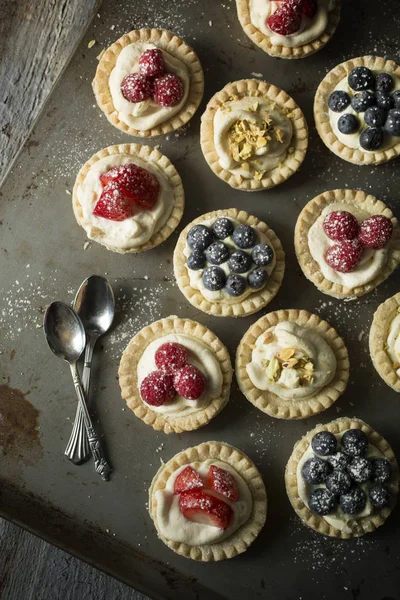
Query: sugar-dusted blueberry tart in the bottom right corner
342	478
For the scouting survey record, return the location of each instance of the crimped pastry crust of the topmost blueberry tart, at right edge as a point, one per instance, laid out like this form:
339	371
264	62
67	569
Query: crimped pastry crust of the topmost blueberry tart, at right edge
357	156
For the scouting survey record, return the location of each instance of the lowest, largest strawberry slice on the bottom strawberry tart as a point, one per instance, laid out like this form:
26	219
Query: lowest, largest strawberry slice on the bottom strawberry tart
204	508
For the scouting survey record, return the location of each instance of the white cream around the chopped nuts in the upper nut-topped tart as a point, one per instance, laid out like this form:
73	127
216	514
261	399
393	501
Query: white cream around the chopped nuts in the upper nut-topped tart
267	157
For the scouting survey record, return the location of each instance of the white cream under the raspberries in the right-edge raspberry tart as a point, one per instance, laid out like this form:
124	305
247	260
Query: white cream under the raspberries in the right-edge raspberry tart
371	263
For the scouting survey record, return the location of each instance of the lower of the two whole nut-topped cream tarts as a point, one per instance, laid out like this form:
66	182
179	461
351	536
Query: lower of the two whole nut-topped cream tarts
291	364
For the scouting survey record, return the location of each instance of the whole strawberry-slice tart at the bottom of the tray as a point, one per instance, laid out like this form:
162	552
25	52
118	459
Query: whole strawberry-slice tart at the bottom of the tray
209	502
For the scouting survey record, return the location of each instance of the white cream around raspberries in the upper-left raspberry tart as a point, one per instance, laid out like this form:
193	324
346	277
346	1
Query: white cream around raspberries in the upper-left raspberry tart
147	114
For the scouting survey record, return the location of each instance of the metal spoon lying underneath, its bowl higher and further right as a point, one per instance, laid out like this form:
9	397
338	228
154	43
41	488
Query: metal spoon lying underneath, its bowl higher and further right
95	305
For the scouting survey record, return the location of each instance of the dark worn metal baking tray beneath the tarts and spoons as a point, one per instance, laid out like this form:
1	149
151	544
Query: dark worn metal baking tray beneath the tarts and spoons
43	258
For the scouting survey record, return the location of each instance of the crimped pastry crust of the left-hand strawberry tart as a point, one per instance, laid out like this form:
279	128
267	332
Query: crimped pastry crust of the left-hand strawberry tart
146	154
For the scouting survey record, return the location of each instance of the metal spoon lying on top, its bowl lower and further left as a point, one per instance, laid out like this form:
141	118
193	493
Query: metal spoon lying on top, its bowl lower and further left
66	337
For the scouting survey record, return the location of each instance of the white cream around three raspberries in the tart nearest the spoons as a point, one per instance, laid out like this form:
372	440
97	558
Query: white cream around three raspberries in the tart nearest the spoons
199	355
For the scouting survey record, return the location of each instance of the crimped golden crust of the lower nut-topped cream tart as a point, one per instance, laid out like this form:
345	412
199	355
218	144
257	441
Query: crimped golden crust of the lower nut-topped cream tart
269	402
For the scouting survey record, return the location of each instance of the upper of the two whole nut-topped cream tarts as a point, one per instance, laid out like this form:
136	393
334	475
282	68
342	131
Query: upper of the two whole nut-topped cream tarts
253	135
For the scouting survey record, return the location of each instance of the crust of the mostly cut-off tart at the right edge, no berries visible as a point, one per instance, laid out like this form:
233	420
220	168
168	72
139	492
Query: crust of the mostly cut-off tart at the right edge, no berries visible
383	363
